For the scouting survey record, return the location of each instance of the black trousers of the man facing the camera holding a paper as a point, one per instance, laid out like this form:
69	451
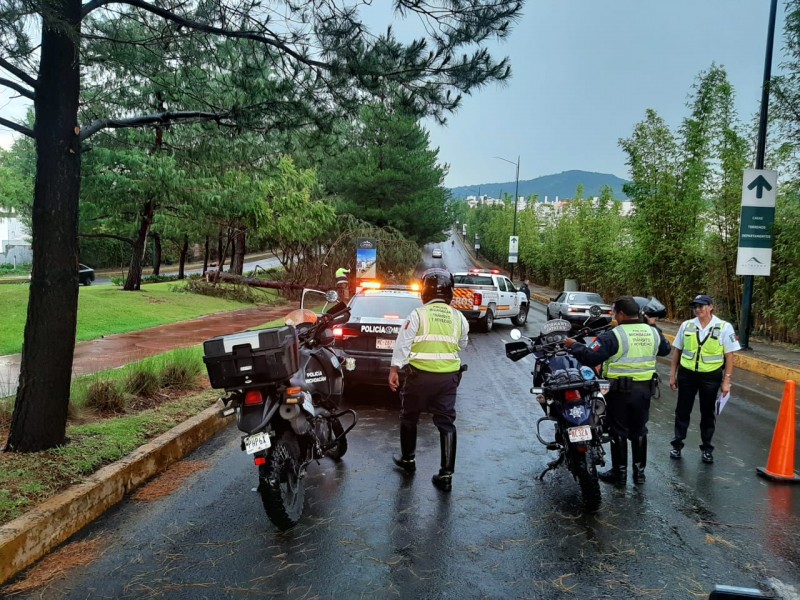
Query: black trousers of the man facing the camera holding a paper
691	384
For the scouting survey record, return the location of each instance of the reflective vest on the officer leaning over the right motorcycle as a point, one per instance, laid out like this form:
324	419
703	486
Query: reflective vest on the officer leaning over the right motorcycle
636	355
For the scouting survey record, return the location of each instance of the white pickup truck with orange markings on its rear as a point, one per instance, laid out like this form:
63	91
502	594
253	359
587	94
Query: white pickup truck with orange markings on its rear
483	296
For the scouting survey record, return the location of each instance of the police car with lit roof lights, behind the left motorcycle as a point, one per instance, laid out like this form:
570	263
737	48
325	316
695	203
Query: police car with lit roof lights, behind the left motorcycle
368	337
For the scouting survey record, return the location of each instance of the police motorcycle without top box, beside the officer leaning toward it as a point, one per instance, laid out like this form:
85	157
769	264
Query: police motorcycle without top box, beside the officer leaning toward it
572	398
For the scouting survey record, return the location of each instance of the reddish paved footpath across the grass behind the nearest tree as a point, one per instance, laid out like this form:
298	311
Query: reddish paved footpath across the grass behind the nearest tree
115	351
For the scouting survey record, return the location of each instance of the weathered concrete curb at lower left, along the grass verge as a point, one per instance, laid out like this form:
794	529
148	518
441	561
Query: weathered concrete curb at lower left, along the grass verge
29	537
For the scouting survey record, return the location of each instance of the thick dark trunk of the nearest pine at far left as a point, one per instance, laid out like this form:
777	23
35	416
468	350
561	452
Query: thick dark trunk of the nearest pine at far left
40	412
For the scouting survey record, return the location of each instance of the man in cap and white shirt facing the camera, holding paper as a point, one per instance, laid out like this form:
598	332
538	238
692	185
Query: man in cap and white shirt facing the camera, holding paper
702	365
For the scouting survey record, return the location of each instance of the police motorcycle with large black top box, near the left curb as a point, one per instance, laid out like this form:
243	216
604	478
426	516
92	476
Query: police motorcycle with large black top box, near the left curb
285	385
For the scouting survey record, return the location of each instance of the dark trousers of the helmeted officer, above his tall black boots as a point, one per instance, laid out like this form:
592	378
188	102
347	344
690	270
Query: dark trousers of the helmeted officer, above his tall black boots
430	392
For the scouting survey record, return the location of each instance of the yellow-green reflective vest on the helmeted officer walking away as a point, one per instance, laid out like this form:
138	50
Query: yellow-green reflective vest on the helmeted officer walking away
435	346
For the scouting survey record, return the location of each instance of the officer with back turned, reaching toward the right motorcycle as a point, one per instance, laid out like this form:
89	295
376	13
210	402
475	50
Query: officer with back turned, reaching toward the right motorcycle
628	352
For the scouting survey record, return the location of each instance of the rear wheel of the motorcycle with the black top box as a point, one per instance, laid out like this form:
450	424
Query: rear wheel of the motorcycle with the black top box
280	484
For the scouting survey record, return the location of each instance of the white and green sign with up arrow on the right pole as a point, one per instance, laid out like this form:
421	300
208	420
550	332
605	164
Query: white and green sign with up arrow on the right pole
759	189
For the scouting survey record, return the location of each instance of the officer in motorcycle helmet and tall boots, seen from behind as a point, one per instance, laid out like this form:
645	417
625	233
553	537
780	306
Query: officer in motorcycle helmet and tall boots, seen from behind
426	350
